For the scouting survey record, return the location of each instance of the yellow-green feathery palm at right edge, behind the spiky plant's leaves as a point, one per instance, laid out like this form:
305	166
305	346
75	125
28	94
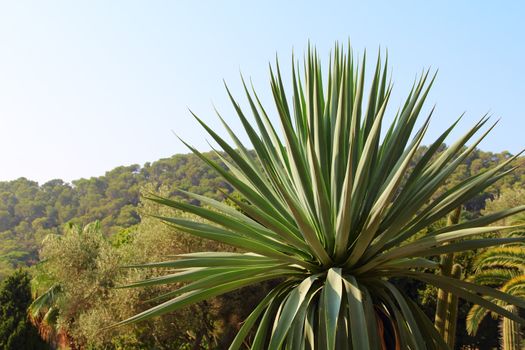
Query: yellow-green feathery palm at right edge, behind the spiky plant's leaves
503	268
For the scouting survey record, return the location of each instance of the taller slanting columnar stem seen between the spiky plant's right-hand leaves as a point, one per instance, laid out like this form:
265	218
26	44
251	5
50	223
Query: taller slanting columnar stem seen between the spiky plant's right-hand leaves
446	263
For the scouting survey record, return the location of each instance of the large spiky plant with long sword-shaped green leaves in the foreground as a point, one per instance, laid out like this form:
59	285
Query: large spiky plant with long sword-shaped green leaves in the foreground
330	211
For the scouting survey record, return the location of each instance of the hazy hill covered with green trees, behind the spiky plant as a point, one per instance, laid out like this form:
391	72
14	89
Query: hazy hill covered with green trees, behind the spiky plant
29	211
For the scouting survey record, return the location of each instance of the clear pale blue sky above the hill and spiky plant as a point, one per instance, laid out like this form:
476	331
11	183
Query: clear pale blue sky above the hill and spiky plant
89	85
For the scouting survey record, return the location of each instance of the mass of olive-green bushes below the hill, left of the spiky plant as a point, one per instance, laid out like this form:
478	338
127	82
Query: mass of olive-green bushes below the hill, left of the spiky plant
78	300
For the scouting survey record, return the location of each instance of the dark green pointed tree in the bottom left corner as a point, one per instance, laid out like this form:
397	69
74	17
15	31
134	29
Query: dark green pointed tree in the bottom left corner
16	332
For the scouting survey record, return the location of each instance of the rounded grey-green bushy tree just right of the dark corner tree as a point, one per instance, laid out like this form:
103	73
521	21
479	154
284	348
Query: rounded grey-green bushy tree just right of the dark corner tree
79	270
